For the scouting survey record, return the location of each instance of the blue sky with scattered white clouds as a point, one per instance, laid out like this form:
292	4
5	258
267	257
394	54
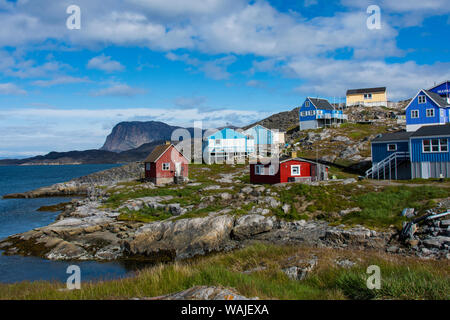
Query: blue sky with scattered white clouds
216	61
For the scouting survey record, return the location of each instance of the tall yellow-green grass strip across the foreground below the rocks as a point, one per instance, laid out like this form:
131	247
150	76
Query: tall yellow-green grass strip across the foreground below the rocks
402	278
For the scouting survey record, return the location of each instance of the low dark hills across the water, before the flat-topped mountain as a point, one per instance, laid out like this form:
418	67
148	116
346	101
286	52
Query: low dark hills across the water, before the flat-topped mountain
86	157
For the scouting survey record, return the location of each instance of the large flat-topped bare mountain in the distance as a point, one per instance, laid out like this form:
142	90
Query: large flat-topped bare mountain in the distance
130	135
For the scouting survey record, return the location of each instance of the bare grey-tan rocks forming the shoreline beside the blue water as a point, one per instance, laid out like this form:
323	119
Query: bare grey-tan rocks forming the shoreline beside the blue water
87	229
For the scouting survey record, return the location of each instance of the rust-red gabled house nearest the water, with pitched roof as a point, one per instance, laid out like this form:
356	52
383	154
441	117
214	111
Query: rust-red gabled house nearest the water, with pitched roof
166	165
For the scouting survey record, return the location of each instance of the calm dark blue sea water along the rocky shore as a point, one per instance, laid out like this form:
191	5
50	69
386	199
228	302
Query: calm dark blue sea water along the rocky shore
20	215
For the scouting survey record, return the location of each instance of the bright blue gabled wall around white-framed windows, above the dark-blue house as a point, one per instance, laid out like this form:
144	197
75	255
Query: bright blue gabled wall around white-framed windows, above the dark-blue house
412	124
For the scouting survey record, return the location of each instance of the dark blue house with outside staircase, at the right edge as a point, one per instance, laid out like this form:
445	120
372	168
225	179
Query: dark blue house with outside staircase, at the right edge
409	155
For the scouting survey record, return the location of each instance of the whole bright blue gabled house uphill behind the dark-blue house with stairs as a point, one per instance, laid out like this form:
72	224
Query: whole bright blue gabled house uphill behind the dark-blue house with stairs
426	108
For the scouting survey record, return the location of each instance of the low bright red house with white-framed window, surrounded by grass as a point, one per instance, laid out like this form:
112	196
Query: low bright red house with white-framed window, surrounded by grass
287	170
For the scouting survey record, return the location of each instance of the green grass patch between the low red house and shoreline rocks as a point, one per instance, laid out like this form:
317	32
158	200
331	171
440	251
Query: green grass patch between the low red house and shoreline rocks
378	208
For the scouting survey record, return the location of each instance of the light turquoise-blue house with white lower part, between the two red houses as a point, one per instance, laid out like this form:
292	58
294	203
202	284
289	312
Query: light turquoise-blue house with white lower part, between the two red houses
227	145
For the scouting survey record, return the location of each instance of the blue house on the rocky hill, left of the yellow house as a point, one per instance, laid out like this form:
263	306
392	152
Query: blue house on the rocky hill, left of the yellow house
318	113
